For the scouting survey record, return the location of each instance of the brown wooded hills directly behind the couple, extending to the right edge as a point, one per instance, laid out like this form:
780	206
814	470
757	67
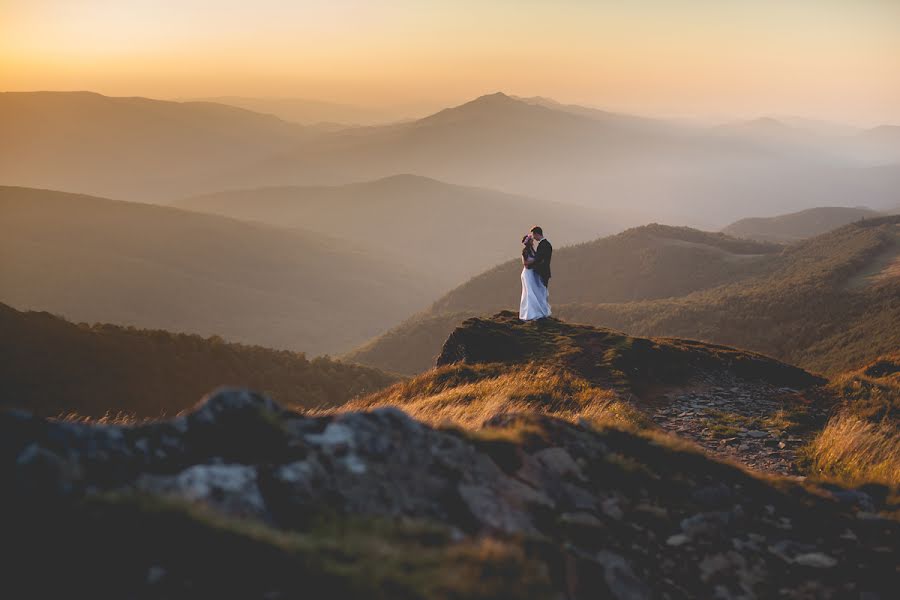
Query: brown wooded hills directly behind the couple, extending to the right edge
827	303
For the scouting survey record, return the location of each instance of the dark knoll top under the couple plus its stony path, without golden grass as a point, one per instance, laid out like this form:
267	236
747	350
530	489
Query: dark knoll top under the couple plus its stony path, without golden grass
742	406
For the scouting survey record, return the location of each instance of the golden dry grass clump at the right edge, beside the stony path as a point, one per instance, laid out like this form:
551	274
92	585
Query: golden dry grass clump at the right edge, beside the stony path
854	451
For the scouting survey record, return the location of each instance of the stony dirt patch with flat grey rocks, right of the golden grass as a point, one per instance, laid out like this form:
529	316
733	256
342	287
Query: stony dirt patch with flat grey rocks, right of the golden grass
755	424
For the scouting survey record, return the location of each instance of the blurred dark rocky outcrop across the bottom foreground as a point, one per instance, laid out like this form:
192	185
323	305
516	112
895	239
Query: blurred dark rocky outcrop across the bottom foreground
602	513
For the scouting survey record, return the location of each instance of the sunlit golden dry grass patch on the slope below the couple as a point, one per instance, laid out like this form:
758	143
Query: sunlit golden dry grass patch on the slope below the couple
466	396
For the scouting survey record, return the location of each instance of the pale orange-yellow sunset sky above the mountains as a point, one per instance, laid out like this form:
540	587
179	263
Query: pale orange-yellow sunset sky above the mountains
825	59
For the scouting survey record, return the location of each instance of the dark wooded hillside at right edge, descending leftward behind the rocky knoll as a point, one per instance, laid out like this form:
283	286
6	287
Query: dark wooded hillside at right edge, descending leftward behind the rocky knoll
809	309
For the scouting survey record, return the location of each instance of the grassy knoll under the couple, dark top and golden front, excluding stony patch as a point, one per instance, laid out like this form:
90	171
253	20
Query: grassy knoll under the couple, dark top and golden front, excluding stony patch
498	365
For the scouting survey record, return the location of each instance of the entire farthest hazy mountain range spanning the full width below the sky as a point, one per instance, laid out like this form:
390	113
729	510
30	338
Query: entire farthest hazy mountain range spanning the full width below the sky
641	169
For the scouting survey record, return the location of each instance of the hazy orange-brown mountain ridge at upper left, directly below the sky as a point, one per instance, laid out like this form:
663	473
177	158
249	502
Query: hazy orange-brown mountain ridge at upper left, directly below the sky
134	148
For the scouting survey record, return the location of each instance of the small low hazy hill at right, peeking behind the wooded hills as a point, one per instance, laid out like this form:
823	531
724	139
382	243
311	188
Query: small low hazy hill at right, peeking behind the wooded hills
799	225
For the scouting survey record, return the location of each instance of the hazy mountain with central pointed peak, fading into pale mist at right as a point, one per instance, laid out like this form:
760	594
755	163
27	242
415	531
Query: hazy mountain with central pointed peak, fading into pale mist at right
643	168
